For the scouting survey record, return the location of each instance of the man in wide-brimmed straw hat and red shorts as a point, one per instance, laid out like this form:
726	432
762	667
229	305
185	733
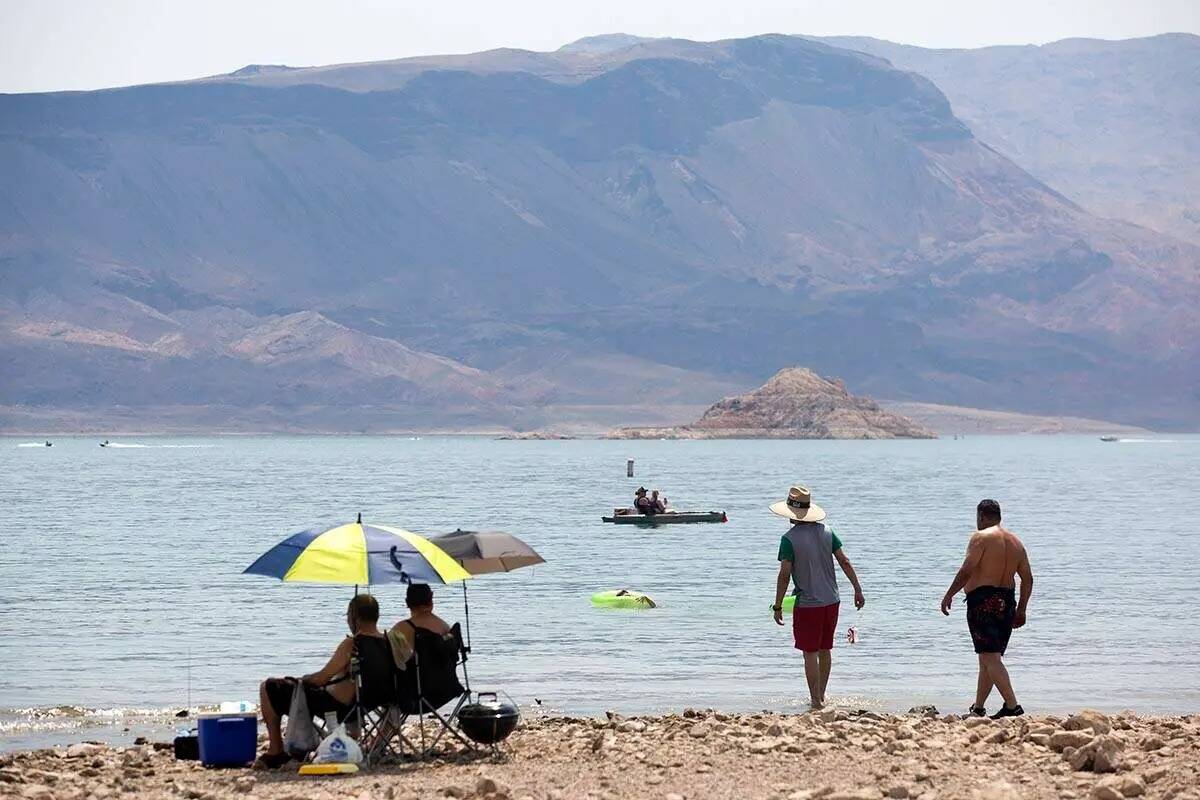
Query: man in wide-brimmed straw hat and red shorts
807	554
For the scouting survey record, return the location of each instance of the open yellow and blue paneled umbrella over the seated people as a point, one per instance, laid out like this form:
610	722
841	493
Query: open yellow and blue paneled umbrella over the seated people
358	555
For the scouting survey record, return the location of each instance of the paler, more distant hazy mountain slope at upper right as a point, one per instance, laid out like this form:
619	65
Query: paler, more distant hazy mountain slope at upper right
1113	125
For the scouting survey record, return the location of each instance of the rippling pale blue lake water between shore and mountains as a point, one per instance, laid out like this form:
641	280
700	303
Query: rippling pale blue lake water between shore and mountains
122	596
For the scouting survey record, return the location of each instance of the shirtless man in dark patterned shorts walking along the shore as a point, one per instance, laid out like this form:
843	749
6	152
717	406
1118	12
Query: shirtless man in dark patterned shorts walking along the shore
995	557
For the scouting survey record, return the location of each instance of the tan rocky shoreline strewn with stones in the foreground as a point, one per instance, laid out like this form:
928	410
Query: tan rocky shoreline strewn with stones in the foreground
831	755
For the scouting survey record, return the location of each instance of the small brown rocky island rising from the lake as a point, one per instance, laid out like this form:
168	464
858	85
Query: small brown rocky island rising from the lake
796	404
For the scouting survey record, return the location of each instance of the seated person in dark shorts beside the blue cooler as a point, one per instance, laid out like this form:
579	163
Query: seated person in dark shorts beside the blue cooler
329	690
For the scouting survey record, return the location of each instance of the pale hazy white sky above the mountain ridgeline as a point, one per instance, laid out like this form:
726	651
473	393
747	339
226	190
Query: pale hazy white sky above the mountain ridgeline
49	45
